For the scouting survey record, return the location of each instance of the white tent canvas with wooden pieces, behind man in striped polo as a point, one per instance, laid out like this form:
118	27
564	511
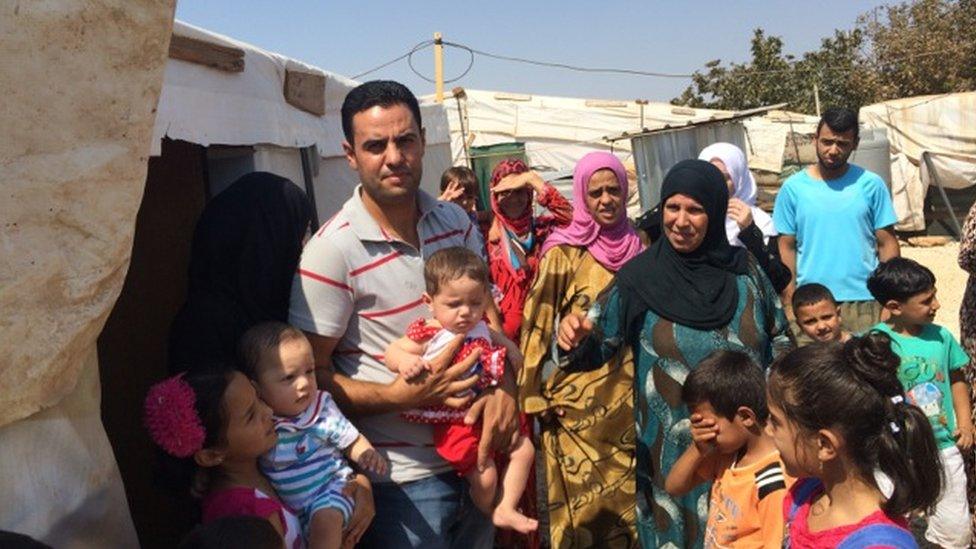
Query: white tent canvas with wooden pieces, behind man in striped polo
210	107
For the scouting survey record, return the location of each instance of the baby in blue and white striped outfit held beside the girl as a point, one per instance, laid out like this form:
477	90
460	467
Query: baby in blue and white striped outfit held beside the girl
307	466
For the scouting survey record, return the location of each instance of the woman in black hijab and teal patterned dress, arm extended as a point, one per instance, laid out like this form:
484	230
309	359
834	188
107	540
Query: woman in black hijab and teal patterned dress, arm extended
686	296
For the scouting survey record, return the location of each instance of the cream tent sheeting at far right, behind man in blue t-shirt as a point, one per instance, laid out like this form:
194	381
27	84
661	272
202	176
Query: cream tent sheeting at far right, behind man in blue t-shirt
944	127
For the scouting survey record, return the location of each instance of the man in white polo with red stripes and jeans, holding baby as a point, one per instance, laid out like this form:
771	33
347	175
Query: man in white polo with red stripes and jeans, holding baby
358	286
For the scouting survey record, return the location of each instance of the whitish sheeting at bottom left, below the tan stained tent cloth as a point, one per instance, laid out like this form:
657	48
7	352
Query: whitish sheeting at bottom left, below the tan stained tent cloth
60	483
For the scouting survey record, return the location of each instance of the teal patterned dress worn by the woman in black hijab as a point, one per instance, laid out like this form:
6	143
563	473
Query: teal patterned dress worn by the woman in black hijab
664	354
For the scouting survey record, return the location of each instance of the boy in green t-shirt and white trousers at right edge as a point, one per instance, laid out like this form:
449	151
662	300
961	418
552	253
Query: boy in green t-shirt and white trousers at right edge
931	372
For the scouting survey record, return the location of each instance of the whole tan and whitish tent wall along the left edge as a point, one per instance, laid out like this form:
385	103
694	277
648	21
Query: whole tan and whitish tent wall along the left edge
80	82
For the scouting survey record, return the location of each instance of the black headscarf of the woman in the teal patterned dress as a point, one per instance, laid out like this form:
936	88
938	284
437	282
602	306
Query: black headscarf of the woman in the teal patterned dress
695	289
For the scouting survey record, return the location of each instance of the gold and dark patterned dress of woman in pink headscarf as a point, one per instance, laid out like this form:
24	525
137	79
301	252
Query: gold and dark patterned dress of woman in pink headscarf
587	418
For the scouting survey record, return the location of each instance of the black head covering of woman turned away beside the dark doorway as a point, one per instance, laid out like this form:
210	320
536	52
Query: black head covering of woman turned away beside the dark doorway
245	251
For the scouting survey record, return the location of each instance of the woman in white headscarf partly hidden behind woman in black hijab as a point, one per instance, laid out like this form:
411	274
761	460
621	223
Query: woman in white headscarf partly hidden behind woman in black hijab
746	225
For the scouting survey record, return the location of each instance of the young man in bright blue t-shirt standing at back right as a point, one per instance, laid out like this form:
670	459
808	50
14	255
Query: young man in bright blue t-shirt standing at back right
836	222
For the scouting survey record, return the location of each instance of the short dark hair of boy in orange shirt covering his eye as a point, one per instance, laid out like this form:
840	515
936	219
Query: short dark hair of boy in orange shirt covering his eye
727	380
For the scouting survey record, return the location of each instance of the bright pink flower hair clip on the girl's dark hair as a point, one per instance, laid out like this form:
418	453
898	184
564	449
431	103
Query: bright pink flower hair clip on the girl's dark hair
171	418
